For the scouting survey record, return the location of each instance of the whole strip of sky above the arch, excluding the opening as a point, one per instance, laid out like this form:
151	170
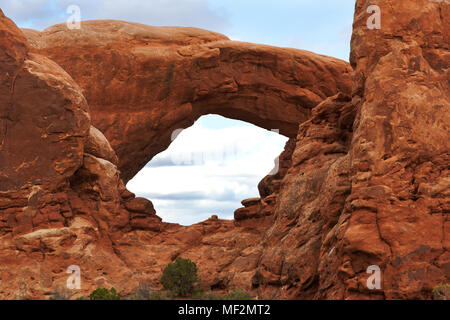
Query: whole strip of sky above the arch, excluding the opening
322	26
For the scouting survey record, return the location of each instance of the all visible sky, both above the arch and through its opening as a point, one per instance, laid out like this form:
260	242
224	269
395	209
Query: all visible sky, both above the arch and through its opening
217	162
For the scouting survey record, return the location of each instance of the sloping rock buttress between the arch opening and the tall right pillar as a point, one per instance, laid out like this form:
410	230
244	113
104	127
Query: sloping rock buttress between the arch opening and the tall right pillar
310	202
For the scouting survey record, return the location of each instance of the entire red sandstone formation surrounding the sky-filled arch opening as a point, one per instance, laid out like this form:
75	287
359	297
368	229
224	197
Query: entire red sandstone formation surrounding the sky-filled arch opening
363	179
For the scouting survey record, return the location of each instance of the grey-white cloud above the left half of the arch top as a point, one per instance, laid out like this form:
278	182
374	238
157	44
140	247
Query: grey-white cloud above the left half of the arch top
41	14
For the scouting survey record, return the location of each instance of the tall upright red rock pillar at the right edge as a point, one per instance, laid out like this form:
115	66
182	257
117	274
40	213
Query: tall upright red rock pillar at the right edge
400	154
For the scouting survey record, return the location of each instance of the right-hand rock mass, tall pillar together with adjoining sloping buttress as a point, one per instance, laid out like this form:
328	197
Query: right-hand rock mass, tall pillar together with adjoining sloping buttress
380	195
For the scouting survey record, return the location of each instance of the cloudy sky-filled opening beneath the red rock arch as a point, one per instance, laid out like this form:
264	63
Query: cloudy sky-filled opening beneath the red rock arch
208	169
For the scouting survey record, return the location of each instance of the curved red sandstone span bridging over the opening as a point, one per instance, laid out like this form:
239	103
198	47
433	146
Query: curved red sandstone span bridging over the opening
143	82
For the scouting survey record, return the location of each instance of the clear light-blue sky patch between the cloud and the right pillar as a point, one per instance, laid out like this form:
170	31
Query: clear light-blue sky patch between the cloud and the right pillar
322	26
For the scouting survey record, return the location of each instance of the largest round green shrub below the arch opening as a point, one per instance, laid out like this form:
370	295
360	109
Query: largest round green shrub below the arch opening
180	277
